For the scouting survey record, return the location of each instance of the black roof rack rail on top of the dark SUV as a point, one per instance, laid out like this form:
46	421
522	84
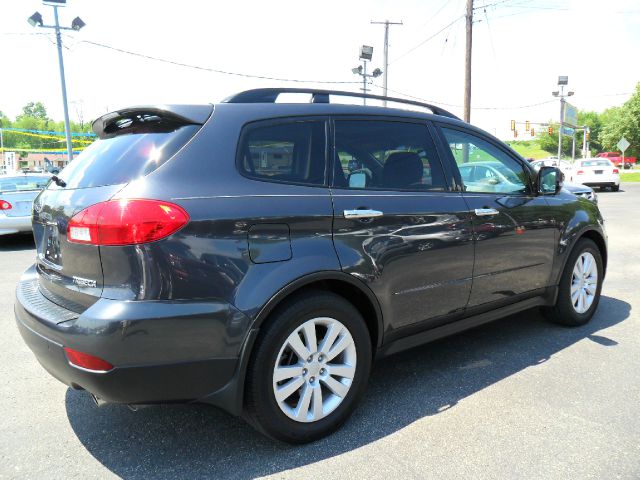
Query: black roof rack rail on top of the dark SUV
270	95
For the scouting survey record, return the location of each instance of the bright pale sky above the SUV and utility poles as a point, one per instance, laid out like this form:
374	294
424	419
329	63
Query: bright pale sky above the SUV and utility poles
520	47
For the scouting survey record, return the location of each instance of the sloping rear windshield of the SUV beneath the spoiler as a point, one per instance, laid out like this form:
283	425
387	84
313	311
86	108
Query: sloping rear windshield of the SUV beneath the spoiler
125	157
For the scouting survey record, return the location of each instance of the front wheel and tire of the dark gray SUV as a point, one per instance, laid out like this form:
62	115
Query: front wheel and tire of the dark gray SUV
566	311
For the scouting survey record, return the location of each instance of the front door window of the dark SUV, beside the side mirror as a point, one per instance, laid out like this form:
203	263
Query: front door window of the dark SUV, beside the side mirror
483	167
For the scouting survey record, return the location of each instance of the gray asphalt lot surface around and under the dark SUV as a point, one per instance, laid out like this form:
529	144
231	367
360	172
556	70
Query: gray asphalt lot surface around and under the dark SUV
517	398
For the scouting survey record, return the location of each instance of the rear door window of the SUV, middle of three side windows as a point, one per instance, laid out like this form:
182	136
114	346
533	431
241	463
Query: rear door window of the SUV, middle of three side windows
386	155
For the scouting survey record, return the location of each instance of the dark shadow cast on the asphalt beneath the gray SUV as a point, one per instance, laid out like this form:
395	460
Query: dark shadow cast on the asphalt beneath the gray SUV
189	441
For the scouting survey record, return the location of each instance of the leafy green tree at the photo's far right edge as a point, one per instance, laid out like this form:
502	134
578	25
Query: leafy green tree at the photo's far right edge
623	122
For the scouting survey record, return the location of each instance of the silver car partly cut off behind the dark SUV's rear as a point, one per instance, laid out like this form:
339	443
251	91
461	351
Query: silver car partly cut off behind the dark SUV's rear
17	193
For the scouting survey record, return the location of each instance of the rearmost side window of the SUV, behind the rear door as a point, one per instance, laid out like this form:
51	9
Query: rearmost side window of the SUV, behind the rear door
290	152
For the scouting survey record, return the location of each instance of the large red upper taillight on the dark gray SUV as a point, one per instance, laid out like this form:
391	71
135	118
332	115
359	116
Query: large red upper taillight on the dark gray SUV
126	222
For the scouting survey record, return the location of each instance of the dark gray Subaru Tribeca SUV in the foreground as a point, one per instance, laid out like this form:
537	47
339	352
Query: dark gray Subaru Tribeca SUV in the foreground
227	253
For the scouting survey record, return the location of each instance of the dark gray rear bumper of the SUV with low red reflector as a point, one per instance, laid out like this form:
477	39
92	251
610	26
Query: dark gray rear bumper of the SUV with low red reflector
154	361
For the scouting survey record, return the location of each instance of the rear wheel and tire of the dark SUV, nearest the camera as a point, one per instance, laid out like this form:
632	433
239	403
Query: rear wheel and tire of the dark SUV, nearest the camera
312	401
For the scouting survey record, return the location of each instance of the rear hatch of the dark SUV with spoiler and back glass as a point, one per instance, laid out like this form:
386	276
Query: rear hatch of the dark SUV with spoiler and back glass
132	143
